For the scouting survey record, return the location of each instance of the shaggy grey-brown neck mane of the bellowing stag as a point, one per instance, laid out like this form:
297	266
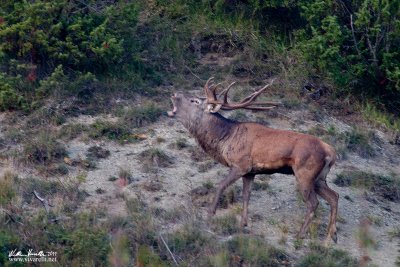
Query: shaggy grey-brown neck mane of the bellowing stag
211	130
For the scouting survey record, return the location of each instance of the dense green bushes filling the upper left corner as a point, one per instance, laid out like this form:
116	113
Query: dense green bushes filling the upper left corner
40	40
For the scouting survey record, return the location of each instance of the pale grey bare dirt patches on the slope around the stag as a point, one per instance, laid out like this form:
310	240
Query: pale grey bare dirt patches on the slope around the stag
271	210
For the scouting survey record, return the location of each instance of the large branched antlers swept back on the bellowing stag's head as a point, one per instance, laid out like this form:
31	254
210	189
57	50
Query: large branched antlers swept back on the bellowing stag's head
247	103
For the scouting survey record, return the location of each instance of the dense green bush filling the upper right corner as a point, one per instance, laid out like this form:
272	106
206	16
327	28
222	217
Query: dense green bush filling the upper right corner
355	43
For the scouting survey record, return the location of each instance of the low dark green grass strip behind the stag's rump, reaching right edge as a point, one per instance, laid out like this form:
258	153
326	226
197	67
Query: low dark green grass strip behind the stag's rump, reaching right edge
387	187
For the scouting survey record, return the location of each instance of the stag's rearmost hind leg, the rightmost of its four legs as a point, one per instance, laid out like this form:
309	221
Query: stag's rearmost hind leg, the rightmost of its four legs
332	198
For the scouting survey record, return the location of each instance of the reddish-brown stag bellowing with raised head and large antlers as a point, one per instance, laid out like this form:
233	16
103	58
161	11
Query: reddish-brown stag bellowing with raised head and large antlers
249	148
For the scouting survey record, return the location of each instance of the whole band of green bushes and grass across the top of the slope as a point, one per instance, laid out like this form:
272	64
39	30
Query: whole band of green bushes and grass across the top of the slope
53	48
